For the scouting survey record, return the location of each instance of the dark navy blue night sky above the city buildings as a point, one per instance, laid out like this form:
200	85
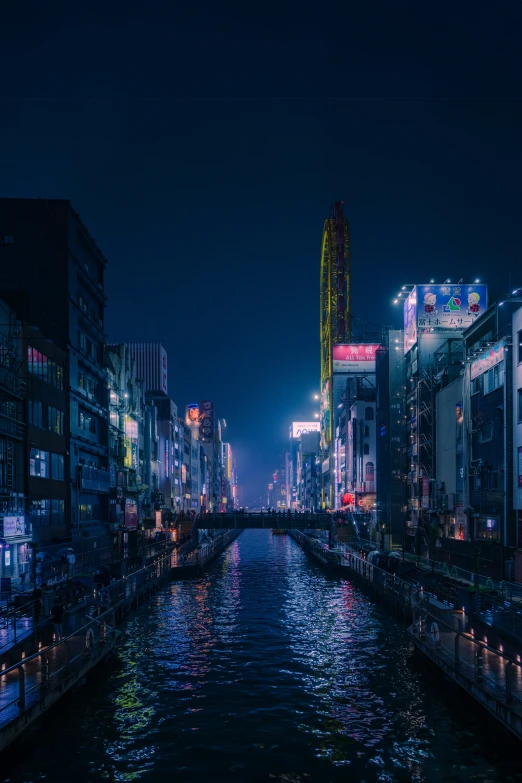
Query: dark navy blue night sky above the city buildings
203	147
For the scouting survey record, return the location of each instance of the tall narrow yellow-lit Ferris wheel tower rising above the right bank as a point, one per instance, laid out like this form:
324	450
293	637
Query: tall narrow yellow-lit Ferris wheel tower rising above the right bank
335	327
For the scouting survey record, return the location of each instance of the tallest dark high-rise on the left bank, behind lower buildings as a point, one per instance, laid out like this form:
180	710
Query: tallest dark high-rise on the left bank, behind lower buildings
56	283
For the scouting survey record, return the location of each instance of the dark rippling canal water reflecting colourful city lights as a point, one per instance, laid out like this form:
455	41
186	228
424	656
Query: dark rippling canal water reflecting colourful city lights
264	669
